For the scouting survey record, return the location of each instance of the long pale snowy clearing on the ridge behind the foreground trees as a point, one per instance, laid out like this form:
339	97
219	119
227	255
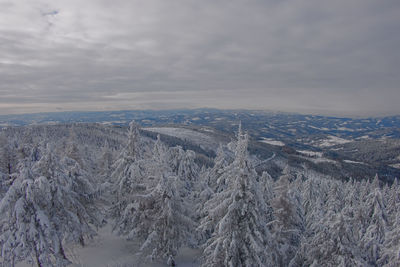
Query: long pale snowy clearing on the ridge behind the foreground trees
197	138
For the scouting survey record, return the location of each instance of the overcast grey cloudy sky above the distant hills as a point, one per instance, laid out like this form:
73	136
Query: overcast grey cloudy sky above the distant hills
310	56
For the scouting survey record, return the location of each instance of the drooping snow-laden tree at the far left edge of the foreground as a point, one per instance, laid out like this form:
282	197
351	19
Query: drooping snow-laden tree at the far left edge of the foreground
27	229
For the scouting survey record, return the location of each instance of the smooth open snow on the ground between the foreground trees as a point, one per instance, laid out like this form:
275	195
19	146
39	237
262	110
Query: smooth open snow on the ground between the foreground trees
109	250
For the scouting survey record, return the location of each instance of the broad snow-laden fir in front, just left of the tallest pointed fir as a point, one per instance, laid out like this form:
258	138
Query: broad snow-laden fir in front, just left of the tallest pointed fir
161	221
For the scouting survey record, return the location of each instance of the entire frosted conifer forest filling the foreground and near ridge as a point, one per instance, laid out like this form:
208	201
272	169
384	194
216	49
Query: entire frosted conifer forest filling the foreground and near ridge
61	184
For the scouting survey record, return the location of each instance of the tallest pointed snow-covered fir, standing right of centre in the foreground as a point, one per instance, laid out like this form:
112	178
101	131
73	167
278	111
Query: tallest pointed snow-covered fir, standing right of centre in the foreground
241	236
